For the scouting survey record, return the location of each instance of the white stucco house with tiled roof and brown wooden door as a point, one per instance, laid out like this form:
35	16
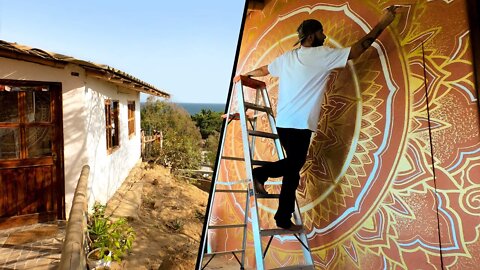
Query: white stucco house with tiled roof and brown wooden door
57	114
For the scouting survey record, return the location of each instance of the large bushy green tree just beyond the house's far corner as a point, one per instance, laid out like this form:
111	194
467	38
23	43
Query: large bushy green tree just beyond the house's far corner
181	138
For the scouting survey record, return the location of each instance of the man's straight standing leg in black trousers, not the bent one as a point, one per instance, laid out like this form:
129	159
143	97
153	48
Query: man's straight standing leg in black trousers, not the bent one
296	143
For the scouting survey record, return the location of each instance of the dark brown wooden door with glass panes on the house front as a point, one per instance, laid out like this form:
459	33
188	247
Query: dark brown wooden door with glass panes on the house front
31	153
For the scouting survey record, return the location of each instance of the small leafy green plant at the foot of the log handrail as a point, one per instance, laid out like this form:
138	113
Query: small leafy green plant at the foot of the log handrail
113	238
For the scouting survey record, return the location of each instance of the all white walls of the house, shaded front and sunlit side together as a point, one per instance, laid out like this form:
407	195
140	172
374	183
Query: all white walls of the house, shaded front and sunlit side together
84	126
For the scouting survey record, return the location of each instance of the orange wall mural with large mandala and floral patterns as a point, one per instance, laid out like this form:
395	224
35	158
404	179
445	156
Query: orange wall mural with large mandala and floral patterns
371	195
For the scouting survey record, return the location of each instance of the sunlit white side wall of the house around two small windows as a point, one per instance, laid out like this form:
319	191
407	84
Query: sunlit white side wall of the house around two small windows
108	171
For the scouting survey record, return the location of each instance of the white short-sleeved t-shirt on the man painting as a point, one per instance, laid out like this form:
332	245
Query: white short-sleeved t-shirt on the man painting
303	76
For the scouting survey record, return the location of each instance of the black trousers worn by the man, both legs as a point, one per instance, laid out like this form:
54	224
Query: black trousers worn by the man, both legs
296	143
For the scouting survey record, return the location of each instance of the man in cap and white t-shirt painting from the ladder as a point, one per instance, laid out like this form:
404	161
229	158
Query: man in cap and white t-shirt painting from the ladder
303	74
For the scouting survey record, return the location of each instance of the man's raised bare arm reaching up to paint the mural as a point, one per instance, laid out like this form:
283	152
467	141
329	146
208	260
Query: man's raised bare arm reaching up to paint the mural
364	43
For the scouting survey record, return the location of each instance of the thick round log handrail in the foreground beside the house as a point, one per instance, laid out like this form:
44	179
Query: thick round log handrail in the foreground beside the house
73	250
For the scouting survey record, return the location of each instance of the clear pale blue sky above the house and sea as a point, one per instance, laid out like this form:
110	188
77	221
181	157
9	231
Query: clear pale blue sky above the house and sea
186	48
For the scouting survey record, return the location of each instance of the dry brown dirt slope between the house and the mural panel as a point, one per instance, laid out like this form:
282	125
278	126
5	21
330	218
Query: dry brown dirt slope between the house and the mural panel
169	223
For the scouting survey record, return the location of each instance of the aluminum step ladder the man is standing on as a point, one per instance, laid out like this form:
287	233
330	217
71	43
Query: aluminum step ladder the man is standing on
242	114
